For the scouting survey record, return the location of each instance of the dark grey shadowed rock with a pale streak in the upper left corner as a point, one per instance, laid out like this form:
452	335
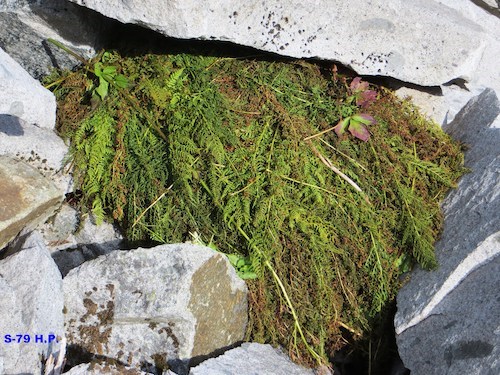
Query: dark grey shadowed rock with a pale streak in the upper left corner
27	24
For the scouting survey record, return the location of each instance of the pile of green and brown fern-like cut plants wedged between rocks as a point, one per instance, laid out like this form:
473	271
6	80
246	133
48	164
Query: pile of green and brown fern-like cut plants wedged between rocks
241	155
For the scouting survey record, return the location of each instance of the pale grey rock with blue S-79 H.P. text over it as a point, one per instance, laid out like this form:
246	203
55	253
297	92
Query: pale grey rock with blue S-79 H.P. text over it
31	306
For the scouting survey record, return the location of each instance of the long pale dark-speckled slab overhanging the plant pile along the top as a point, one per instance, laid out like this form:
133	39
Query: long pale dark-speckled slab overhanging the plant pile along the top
421	41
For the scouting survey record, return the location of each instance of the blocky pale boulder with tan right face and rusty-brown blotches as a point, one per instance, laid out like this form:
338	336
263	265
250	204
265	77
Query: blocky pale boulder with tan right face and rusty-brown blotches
157	306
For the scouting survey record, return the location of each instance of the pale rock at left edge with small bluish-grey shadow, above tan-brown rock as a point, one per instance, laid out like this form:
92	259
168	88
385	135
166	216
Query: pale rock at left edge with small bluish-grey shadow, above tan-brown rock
27	121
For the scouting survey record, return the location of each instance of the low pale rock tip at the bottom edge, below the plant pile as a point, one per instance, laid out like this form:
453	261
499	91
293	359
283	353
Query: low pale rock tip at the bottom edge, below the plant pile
251	359
